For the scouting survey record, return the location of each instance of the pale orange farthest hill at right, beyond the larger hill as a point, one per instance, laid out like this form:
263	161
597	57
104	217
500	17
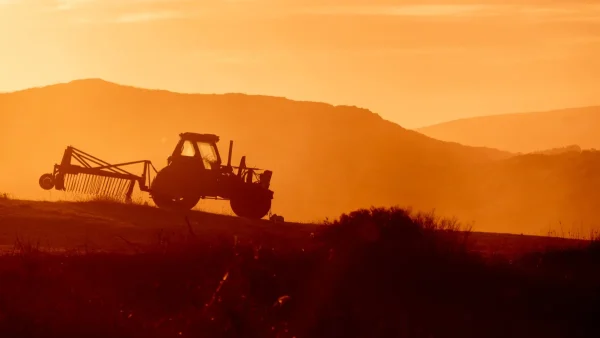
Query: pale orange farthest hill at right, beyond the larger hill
524	132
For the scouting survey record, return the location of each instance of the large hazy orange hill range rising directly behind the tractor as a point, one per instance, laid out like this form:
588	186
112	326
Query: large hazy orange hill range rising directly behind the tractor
326	159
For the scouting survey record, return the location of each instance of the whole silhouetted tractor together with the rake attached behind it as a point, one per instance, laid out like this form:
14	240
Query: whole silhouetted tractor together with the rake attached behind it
194	171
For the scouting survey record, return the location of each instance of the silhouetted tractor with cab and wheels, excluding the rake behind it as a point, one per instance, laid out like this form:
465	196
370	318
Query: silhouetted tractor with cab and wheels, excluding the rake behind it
195	171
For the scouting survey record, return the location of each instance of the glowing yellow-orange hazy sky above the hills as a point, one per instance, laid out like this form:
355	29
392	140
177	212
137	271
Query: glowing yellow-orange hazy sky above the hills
413	62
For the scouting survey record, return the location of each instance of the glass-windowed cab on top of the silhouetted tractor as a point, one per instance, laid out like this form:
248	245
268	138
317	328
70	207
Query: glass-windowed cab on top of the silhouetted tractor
198	149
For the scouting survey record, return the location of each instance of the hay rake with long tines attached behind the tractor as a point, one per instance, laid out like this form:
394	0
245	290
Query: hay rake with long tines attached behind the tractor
94	176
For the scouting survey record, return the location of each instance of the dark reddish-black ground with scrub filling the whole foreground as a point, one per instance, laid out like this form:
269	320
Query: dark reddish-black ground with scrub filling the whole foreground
104	269
